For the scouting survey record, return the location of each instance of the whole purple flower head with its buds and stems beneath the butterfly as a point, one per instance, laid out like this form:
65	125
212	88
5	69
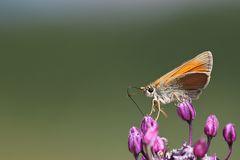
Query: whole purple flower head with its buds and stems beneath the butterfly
146	144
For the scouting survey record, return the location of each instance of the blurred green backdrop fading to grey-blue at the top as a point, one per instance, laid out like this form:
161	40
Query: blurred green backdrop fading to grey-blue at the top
65	67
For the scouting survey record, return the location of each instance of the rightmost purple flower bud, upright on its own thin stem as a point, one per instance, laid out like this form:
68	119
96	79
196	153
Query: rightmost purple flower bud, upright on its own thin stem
229	133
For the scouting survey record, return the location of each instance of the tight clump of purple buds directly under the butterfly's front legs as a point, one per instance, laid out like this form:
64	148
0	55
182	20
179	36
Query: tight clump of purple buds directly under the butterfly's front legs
145	141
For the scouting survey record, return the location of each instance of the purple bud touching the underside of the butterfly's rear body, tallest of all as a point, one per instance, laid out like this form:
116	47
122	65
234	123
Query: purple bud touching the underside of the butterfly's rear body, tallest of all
186	111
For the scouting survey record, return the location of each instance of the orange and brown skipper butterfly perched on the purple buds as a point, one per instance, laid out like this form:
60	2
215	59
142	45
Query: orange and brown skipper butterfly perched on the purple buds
183	83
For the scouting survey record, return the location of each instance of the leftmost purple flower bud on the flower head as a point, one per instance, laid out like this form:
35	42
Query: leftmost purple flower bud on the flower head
135	141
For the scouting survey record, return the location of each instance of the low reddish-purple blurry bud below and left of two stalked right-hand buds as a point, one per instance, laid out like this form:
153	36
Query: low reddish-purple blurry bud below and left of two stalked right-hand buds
200	148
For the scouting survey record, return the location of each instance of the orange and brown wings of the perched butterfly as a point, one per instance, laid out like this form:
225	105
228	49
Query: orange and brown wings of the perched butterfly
191	75
